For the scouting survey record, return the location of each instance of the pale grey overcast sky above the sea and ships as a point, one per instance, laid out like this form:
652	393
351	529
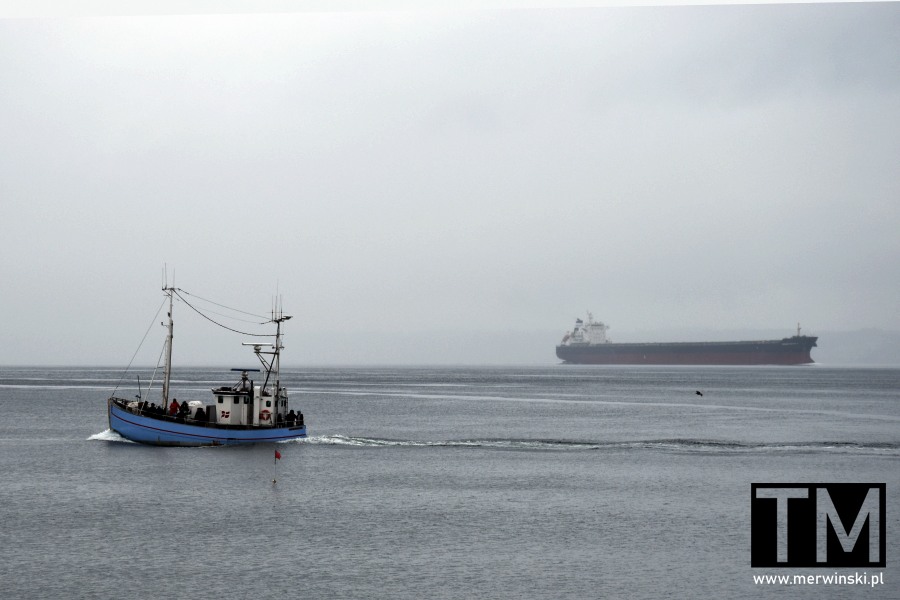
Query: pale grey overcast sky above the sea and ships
405	173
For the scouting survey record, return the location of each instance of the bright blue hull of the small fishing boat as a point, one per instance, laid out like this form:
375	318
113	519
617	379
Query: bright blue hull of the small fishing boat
159	432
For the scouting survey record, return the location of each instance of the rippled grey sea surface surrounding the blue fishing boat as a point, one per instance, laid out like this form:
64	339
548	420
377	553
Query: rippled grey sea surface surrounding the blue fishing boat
558	482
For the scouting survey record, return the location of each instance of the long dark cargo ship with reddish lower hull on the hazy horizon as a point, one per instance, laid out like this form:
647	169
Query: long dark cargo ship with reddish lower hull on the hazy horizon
587	344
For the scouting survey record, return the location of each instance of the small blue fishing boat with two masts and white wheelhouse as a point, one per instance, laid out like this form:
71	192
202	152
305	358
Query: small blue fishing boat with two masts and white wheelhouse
242	413
